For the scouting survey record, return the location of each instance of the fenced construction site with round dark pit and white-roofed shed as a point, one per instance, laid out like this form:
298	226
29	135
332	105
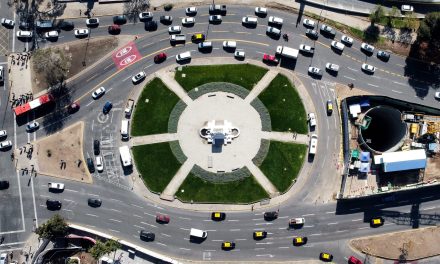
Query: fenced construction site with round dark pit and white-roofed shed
389	145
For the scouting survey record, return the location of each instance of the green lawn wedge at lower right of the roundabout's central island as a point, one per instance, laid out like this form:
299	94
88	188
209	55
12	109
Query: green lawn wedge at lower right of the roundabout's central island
283	163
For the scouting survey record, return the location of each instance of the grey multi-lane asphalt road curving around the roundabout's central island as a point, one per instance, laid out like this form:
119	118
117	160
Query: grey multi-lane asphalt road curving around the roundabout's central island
123	213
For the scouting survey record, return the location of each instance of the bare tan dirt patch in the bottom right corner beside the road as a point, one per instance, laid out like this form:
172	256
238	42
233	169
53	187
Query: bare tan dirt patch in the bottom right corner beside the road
407	245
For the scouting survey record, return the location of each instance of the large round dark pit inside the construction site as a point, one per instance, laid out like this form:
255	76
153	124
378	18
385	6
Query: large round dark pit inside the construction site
386	132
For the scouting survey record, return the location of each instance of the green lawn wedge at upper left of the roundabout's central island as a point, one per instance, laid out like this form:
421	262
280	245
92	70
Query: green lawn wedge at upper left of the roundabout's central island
153	109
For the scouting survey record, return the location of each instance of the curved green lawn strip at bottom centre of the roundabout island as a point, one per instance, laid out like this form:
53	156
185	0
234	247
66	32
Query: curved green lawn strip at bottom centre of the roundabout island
243	191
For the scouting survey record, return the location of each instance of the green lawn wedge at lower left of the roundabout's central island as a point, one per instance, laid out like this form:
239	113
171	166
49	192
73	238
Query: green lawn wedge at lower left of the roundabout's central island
157	165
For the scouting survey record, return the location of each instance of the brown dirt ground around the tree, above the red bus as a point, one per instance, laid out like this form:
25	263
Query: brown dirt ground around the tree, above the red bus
80	54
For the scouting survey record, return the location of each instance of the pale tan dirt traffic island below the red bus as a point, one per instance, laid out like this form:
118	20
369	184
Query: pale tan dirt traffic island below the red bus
66	146
